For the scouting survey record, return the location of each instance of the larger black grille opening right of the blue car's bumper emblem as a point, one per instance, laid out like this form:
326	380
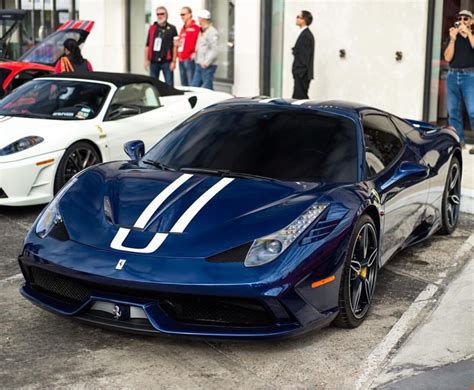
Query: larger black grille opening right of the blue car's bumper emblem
217	311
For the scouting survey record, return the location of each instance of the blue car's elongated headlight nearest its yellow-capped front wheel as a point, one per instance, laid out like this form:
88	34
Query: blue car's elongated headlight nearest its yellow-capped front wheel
268	248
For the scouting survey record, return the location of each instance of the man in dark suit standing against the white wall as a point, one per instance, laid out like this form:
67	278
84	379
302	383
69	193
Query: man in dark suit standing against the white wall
303	52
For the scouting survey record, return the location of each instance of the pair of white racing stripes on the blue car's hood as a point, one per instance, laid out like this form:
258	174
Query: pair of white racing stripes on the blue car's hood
179	226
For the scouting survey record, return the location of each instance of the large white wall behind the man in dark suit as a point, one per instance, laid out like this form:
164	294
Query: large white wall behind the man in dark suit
370	31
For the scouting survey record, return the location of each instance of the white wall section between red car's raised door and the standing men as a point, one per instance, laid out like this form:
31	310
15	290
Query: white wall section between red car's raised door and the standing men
105	46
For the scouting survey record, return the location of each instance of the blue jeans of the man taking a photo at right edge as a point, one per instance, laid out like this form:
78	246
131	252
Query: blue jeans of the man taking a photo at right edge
460	86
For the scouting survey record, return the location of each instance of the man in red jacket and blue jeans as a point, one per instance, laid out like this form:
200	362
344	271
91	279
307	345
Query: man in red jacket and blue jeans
187	46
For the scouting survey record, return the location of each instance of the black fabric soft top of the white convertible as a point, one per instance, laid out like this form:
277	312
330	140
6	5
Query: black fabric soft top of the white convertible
121	79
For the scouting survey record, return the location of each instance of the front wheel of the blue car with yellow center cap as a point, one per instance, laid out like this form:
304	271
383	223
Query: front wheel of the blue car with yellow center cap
358	276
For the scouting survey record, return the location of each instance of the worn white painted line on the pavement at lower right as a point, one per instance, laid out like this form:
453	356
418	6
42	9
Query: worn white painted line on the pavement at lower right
375	360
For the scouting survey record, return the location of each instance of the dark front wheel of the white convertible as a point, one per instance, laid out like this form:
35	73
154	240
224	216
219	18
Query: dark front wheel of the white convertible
77	157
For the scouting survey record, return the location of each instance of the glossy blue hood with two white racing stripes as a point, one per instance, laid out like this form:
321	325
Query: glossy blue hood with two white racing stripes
218	213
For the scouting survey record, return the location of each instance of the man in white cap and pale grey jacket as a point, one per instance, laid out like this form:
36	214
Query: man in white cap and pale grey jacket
206	52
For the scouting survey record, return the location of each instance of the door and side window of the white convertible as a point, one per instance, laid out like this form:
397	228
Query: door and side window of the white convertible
135	113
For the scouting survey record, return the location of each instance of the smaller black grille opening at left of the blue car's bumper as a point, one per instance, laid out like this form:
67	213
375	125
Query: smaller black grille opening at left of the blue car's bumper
58	286
